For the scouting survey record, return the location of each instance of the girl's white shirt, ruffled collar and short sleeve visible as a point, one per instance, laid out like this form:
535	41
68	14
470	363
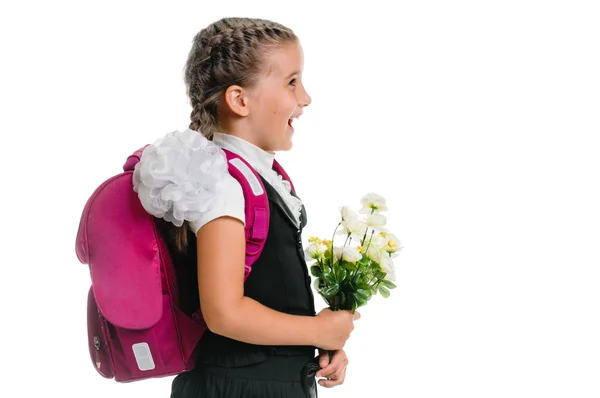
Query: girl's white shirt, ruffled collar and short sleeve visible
230	199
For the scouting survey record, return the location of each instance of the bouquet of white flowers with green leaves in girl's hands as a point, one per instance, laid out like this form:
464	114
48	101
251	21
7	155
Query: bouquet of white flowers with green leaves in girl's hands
350	274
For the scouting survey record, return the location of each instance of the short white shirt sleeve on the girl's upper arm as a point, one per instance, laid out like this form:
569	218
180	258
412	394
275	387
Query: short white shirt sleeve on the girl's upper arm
228	202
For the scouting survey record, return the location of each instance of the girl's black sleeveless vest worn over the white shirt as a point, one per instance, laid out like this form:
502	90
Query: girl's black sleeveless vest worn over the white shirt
279	280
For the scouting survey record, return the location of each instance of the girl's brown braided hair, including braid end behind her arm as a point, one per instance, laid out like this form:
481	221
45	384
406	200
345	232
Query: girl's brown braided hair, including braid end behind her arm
228	52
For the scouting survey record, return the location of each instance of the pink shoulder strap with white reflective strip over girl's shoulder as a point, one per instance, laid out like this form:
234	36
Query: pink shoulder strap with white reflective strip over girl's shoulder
256	209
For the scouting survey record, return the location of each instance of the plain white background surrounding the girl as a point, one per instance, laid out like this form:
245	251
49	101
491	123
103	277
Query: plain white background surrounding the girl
477	120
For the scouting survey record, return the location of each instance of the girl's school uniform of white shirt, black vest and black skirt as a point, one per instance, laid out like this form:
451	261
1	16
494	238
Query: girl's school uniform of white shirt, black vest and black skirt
279	280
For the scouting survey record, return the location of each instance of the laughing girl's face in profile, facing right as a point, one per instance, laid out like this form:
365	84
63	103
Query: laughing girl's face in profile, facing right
278	97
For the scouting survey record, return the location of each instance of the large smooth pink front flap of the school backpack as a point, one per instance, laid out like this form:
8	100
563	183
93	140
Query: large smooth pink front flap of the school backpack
117	238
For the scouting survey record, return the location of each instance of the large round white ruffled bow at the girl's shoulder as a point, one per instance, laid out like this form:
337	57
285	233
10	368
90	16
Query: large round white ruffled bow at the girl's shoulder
178	176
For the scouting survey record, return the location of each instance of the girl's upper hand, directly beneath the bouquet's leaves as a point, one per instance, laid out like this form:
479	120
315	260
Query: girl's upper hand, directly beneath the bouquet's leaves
335	328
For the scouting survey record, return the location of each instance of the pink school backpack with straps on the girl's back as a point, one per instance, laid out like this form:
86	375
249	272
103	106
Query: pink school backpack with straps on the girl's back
136	329
